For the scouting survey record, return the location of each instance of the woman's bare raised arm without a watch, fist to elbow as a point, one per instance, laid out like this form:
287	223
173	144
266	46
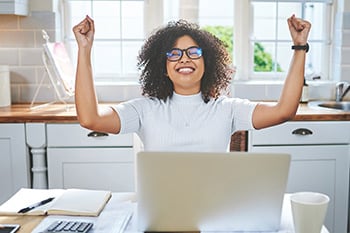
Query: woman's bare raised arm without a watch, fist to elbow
90	115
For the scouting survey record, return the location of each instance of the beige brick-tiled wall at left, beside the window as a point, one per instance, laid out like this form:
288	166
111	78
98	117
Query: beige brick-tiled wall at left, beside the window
21	48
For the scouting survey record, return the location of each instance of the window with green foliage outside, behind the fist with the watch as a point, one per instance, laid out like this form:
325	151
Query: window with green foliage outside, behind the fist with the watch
268	42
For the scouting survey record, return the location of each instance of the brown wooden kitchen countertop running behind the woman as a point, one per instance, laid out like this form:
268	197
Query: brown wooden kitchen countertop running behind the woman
60	113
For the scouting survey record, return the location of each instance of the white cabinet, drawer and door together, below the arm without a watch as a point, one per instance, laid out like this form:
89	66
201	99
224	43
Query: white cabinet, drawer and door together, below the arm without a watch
79	158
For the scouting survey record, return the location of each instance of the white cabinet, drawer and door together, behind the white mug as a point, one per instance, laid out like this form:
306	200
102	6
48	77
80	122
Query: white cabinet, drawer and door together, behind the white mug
320	161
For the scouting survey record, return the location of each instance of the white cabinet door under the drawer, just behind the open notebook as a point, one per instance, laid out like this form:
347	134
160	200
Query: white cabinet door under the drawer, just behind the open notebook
91	168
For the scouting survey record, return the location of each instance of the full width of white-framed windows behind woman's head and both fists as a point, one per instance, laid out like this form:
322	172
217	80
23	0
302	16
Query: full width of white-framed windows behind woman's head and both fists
258	33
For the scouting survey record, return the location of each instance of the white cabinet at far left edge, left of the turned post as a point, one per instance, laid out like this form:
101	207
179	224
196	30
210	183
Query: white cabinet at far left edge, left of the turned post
14	160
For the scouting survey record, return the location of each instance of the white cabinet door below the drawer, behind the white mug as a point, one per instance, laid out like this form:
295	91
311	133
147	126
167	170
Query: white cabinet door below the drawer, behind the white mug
320	169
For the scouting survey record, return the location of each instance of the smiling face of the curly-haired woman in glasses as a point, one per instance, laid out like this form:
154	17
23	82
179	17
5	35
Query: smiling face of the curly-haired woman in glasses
186	73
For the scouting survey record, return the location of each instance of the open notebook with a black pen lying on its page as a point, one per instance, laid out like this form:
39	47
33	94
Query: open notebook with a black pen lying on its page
79	202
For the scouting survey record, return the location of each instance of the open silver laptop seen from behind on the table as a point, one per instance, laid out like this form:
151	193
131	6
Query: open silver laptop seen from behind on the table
234	191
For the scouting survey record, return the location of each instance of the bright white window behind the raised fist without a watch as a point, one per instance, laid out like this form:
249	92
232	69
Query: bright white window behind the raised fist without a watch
118	37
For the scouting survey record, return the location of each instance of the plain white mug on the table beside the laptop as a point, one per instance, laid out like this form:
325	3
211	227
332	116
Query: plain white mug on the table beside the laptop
309	211
